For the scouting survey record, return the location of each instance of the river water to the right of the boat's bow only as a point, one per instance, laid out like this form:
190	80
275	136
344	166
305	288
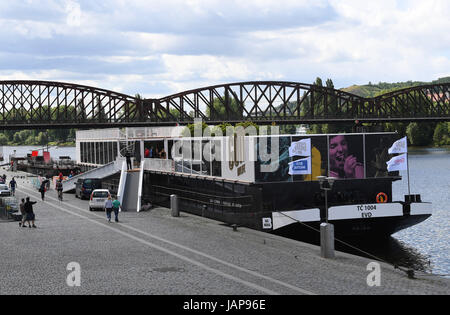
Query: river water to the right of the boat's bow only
430	240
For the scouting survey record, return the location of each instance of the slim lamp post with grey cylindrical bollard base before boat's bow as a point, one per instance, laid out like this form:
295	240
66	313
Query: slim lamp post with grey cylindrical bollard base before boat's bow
326	229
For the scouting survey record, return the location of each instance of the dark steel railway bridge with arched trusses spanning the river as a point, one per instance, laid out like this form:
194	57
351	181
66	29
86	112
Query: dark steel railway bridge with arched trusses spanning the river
52	105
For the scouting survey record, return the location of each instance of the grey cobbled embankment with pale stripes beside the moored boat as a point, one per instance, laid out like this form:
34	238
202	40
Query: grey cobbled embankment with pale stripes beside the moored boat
155	253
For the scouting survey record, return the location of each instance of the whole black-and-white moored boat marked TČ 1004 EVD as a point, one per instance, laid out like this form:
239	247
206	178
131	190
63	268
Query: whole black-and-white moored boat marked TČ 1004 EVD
272	183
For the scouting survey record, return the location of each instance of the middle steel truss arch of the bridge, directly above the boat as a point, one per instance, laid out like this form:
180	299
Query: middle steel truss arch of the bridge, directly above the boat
262	102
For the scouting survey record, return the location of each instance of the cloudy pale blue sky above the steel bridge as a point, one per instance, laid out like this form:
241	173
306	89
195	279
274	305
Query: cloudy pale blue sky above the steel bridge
159	48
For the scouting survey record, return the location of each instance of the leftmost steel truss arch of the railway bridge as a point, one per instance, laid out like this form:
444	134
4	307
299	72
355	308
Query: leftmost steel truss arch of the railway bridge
47	104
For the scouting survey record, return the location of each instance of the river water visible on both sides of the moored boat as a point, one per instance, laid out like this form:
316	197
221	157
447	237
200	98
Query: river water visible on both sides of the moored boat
425	246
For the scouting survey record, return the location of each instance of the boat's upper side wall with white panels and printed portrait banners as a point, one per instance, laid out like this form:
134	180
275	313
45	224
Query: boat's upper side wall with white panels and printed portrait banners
284	158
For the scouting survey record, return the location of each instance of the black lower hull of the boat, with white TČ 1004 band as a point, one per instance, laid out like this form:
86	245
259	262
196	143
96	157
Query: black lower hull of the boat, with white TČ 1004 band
253	204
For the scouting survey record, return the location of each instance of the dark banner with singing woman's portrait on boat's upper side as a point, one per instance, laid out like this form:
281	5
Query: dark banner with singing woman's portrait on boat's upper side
344	156
